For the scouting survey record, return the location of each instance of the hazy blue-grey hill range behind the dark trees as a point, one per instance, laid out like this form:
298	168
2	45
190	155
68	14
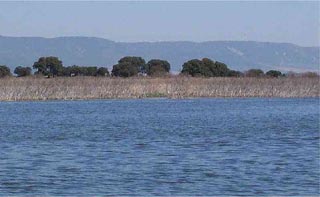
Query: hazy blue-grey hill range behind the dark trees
238	55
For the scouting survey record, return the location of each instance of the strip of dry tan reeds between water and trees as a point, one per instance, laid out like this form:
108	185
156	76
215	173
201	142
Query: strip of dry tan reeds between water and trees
32	88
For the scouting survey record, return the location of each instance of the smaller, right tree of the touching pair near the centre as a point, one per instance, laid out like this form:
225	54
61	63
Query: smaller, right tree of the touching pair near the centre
157	67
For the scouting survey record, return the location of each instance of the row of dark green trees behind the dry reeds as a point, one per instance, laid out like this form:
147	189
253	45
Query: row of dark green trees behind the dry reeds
134	66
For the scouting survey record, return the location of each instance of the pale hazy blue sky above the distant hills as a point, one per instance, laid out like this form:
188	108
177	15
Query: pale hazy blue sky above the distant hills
294	22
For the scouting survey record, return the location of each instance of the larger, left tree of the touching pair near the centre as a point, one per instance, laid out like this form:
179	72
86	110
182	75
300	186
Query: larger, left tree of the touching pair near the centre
129	66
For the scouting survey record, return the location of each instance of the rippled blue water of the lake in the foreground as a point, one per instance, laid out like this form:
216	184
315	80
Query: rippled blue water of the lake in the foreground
160	147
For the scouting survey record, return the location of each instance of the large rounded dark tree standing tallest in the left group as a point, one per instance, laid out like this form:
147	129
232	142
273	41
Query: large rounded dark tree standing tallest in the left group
50	66
